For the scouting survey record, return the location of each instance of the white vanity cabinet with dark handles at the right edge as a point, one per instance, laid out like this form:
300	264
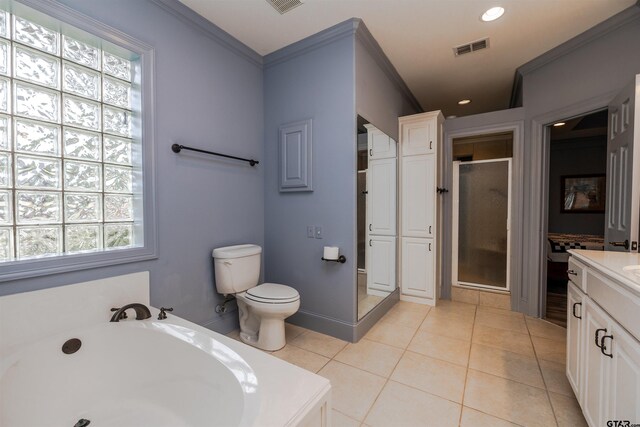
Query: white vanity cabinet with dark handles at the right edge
603	347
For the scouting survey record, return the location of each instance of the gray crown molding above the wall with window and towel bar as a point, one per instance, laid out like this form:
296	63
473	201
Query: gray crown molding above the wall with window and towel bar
217	34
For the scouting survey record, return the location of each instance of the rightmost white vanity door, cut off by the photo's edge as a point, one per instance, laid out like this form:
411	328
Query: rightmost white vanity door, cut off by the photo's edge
624	377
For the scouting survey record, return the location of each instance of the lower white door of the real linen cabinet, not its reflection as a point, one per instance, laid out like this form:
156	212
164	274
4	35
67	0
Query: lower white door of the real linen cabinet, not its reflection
417	267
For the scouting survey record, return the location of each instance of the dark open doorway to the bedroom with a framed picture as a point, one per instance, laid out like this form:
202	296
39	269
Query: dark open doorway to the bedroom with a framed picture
576	200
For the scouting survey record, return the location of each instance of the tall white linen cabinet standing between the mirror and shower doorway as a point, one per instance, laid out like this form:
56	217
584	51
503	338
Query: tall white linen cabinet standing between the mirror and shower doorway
420	222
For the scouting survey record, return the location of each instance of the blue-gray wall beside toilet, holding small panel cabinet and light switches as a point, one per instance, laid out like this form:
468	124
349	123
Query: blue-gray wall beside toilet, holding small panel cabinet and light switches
314	83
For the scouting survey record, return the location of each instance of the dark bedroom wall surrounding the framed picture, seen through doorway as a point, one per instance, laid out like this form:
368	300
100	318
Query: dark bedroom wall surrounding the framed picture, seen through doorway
583	156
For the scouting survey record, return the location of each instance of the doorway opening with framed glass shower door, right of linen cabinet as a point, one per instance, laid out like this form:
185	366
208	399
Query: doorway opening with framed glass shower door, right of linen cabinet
481	237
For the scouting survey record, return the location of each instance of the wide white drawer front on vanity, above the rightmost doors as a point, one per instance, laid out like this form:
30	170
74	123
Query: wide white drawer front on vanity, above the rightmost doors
621	304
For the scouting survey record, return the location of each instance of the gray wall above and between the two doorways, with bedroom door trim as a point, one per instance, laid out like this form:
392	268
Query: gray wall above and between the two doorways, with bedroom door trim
577	77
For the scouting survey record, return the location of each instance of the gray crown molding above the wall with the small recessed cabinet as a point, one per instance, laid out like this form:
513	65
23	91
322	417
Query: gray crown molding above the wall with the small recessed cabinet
315	41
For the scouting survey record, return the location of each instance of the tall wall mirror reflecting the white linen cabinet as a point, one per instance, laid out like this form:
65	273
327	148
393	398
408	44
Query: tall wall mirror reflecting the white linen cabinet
376	216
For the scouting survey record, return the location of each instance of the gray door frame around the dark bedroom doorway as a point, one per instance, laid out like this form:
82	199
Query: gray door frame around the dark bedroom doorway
536	204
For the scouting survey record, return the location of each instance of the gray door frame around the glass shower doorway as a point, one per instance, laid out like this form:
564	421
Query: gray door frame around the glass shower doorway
517	205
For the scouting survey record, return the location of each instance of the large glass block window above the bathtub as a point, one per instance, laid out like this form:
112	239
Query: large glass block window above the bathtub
69	155
